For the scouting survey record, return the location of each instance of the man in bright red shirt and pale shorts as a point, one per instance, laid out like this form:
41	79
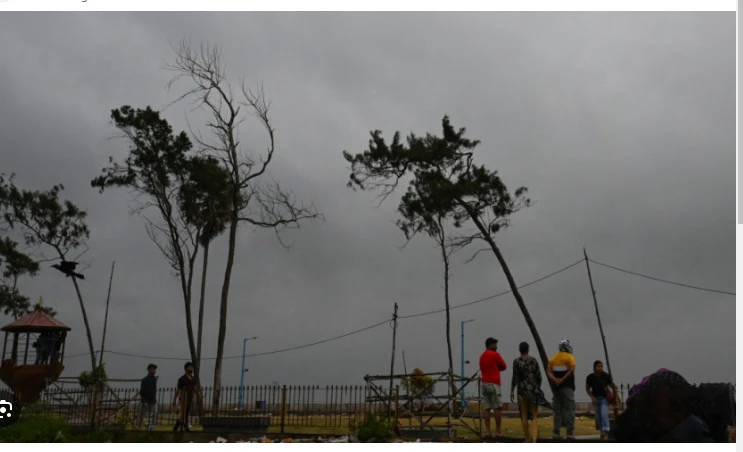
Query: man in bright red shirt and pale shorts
491	365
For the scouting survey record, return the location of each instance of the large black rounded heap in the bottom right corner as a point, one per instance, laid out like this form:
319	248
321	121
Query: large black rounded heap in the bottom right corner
668	409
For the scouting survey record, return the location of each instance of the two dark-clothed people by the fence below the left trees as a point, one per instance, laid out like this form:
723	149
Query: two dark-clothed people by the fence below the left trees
187	393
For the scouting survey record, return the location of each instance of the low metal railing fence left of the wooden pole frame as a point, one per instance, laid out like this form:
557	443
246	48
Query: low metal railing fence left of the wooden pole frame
322	408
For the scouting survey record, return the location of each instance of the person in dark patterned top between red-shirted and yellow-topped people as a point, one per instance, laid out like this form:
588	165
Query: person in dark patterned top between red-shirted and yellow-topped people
526	382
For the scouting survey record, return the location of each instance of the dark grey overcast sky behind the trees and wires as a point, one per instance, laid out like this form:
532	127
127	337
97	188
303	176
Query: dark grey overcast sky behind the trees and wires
622	126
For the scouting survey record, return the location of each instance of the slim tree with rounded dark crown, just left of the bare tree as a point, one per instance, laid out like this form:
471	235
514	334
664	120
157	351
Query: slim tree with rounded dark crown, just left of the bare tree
205	199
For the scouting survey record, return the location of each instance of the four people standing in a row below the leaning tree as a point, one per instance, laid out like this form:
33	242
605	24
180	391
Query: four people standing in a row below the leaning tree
526	389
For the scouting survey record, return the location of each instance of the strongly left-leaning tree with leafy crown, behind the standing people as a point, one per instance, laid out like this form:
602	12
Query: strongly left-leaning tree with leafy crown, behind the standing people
446	183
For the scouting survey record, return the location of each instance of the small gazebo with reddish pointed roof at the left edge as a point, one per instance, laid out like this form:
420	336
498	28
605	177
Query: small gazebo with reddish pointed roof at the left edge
33	354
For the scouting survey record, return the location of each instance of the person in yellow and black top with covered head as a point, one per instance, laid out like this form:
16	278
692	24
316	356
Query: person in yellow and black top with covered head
561	373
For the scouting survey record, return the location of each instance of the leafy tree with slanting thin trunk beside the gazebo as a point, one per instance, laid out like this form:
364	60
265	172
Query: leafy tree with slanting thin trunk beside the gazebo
46	221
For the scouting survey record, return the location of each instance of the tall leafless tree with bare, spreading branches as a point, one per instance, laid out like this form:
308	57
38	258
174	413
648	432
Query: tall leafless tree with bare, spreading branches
255	201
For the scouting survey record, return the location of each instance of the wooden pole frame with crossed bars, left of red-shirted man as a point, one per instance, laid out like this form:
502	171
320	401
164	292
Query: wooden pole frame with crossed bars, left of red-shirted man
403	404
